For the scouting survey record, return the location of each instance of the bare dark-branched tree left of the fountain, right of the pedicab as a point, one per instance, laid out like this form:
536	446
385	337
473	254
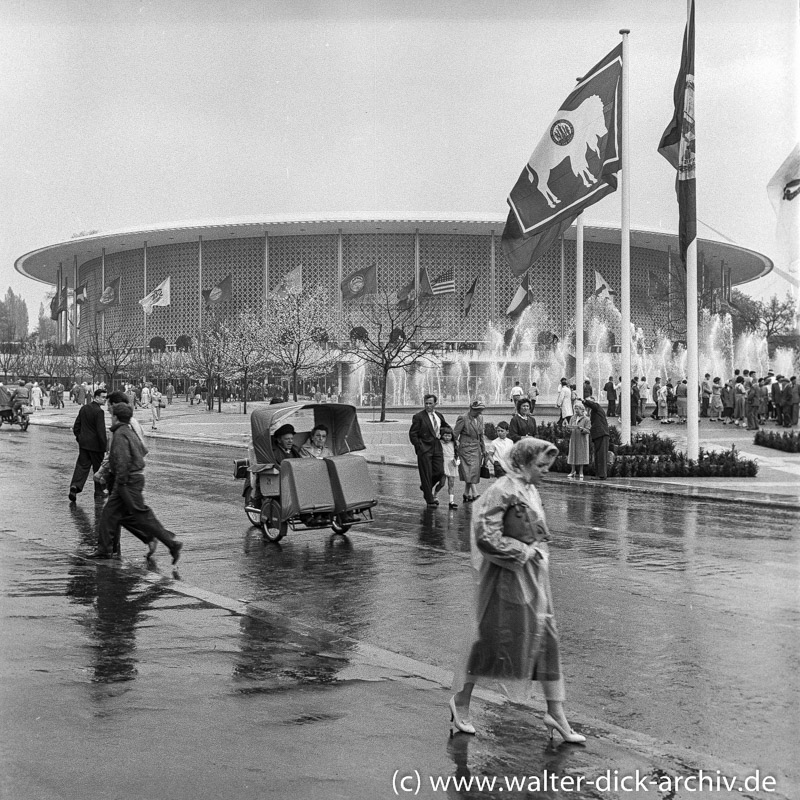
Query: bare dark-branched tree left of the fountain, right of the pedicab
389	335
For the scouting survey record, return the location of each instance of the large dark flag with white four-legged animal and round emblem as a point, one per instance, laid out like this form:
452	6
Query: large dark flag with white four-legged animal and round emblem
572	167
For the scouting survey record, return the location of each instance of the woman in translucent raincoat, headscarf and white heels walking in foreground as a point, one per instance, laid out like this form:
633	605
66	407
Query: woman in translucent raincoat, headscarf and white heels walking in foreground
515	641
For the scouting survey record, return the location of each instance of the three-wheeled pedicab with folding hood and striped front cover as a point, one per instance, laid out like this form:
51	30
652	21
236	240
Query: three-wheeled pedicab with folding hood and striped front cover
306	493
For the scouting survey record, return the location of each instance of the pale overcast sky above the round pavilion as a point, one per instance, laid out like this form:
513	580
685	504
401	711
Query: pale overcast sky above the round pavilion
115	113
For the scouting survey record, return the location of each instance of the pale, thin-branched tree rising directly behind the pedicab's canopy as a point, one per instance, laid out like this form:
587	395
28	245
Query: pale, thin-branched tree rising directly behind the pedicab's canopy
300	332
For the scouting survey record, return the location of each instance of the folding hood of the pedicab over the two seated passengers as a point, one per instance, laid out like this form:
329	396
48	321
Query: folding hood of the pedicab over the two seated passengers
344	432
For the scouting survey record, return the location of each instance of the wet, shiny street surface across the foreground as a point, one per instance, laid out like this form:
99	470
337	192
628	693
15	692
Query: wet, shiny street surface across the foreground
319	667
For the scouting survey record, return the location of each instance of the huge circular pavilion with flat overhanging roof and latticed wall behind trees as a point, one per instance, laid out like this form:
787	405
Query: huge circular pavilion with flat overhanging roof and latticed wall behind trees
246	259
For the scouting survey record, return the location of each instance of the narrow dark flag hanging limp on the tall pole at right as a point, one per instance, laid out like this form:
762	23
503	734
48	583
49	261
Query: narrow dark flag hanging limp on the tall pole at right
677	144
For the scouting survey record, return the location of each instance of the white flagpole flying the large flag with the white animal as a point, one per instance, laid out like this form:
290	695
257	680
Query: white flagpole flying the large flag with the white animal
625	251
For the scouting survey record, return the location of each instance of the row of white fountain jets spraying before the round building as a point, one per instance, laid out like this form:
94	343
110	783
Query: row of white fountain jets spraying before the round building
529	352
